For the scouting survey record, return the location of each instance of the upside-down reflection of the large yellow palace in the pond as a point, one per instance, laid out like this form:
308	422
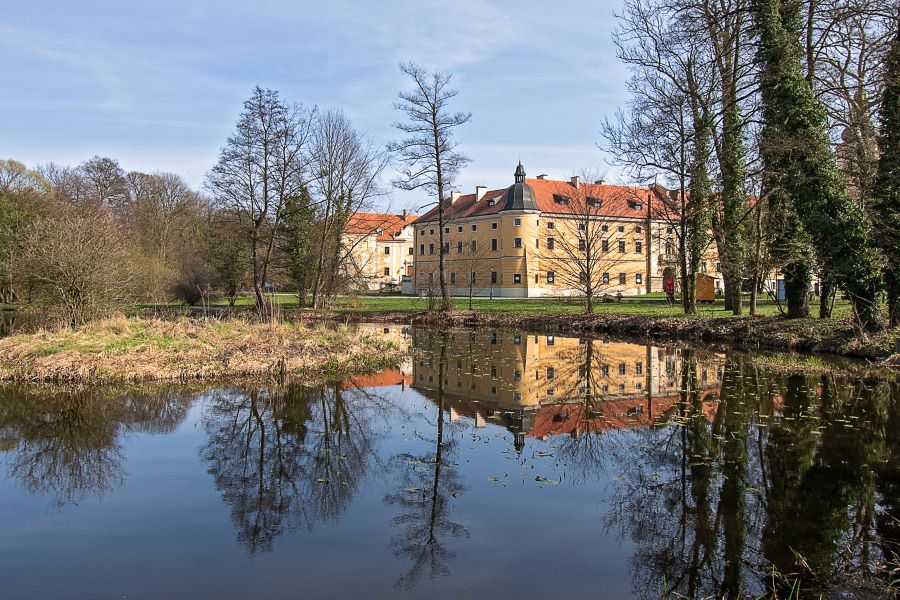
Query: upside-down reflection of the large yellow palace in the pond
541	385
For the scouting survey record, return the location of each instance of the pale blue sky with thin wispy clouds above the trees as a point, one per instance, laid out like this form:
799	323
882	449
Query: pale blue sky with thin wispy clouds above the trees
159	84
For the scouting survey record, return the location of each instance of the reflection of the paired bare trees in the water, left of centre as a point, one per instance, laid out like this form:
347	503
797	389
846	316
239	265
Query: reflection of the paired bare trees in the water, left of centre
286	458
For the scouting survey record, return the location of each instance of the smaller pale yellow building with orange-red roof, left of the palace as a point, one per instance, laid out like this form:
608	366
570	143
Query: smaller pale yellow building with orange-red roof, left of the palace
379	249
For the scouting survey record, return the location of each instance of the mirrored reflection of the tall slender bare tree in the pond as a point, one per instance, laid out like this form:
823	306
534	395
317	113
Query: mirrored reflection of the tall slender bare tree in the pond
430	483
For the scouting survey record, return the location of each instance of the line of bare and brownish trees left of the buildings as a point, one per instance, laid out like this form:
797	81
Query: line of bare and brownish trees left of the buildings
81	241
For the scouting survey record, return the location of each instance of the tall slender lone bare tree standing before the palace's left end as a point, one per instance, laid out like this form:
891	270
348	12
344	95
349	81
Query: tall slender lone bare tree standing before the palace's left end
428	152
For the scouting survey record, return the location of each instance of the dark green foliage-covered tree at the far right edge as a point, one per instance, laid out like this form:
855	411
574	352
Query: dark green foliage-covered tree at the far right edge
886	207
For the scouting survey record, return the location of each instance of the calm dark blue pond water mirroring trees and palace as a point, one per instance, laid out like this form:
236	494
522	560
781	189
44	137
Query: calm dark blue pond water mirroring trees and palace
490	464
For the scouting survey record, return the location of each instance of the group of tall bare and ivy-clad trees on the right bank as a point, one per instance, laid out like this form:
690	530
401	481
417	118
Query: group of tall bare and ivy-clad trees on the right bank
775	123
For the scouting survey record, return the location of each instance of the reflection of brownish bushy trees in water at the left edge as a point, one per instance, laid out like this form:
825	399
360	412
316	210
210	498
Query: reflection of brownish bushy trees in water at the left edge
66	444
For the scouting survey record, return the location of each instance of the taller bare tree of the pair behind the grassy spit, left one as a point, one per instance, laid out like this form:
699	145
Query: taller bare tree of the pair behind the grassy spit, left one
262	164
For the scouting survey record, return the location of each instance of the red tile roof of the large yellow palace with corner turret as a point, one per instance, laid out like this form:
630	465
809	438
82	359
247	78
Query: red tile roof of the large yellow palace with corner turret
616	200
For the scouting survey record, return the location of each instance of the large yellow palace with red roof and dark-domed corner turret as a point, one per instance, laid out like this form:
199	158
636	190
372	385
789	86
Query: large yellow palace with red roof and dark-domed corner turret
544	237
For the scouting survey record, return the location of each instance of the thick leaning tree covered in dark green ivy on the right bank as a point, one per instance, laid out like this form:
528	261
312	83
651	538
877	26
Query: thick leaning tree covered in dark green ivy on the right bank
801	172
